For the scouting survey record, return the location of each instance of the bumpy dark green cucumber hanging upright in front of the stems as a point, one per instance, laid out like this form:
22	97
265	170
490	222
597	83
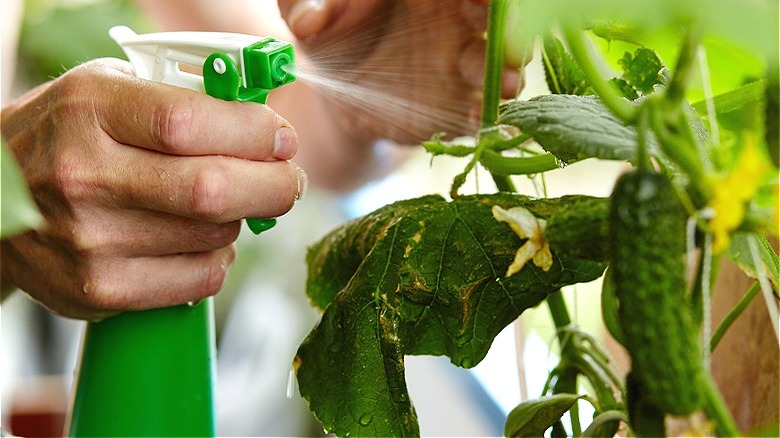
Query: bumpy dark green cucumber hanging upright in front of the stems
647	236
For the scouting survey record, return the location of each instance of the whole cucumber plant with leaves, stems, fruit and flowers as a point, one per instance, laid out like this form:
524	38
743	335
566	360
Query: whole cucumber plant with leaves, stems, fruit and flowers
438	277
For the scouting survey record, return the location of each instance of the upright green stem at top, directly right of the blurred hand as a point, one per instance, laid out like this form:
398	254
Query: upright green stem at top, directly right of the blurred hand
494	62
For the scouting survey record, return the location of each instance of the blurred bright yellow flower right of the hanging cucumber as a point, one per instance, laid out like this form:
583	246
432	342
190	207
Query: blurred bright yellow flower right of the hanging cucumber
732	192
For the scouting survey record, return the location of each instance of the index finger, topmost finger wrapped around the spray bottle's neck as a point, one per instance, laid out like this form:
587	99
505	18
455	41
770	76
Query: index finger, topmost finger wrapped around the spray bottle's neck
180	121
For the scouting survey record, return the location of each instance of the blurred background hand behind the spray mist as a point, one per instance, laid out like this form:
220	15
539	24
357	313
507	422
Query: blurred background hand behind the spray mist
398	69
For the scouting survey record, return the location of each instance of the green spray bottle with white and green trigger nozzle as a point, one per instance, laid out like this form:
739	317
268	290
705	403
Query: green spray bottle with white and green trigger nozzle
152	373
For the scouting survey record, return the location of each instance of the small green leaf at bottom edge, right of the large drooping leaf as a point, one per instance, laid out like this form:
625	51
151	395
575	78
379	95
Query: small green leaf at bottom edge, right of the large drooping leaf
533	417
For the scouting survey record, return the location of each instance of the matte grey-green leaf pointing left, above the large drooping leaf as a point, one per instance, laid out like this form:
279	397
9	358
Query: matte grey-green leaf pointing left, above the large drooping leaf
574	127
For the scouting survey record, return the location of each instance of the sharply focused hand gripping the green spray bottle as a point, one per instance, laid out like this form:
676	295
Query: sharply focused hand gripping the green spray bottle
143	186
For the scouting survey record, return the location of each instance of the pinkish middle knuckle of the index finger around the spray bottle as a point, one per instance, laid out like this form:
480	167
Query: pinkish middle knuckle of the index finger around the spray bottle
172	123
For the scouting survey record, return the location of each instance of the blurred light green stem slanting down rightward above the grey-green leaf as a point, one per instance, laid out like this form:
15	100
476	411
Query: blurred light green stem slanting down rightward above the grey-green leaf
584	56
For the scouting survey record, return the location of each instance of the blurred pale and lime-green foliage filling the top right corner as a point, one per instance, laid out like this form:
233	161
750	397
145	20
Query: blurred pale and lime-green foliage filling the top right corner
739	37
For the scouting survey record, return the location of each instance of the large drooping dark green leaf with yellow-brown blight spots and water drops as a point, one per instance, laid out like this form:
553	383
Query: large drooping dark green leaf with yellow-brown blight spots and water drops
423	276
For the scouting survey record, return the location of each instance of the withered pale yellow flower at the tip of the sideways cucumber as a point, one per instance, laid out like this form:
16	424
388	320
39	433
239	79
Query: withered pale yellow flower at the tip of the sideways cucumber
526	226
